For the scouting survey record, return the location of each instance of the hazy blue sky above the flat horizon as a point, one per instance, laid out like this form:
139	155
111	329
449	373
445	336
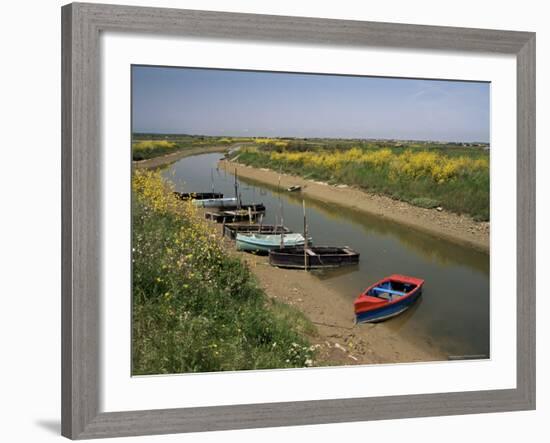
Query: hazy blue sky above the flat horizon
244	103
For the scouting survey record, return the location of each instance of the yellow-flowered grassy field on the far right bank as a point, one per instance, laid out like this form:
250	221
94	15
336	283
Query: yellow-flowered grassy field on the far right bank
423	174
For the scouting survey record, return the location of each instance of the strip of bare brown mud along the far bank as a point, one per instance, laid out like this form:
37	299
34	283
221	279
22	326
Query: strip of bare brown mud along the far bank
460	229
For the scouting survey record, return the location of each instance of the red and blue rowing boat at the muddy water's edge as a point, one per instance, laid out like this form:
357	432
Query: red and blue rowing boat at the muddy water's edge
387	298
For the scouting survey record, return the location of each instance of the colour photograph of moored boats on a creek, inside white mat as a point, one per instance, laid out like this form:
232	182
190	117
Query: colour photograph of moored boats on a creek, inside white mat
287	220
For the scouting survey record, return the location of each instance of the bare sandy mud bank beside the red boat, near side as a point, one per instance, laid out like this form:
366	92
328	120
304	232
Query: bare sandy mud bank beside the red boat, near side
338	339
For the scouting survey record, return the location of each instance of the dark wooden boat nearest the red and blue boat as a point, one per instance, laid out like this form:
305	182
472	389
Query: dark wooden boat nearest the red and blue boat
315	257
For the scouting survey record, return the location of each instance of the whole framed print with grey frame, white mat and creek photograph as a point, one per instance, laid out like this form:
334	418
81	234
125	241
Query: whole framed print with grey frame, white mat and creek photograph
274	221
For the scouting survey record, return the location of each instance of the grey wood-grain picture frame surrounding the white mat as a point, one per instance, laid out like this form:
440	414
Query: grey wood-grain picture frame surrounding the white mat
81	166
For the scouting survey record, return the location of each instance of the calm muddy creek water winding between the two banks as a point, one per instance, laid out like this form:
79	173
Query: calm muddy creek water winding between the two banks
452	314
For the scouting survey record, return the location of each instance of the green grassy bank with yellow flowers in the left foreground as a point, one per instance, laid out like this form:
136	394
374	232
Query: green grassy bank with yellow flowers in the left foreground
196	309
